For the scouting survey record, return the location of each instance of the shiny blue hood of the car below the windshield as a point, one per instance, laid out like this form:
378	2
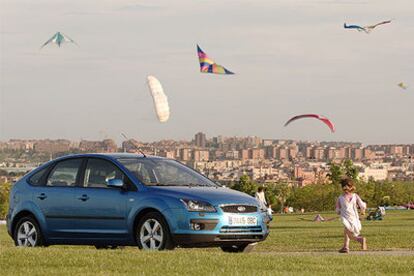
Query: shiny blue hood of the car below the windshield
214	196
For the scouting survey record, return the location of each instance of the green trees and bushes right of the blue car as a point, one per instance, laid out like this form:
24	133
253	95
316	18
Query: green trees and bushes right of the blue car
322	196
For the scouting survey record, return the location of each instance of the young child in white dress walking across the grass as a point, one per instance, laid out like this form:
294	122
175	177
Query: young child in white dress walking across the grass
347	207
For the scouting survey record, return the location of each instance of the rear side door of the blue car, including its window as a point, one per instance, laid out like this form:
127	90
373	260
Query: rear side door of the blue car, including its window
55	198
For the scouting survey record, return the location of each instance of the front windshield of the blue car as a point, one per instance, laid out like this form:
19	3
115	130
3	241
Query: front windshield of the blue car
164	172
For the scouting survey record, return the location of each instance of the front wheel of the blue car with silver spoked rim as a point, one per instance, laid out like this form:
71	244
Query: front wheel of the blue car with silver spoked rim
152	233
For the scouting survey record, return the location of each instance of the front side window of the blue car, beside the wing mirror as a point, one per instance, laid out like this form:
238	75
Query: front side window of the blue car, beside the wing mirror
98	172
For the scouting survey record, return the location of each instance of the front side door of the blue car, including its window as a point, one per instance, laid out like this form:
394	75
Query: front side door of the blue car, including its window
101	209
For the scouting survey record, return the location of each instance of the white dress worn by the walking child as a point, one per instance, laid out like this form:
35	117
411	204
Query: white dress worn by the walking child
348	210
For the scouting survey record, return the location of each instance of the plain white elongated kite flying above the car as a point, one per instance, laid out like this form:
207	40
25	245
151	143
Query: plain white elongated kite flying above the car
162	108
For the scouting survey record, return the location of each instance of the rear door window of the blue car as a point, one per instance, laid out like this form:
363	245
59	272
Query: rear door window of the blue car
64	173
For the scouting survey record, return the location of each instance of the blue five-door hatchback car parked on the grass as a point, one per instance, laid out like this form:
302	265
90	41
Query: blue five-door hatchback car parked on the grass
111	200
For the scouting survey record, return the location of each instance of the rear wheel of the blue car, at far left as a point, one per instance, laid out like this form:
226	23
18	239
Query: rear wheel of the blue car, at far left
27	233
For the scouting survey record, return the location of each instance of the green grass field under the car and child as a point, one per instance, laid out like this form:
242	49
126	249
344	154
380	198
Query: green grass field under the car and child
295	246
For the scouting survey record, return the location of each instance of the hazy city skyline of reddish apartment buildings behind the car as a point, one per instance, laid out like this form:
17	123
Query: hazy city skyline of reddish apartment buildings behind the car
228	158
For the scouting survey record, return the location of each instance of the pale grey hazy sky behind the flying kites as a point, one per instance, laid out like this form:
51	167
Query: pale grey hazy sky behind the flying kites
289	56
